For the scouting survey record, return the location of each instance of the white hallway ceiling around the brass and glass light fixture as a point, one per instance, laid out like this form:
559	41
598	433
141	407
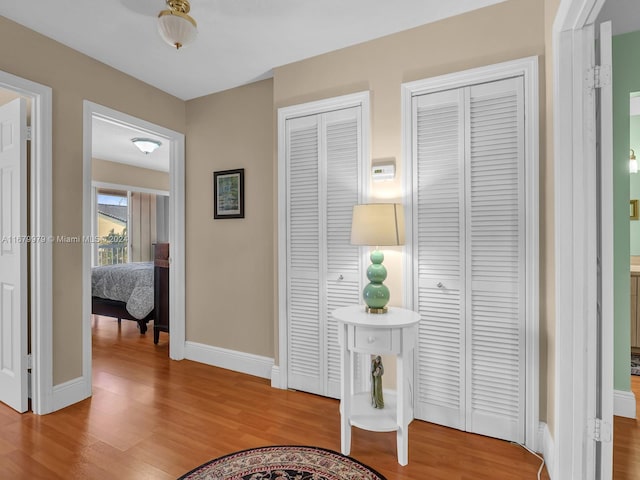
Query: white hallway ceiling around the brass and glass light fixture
239	41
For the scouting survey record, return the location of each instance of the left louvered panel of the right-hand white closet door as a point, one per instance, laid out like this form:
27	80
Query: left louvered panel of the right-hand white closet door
439	239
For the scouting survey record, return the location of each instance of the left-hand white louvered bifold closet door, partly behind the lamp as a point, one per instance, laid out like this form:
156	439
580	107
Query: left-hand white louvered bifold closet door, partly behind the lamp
324	165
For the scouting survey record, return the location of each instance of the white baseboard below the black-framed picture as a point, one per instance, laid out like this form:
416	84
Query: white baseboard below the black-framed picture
248	363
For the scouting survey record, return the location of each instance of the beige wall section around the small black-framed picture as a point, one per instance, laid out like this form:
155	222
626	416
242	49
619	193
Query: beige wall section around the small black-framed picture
229	264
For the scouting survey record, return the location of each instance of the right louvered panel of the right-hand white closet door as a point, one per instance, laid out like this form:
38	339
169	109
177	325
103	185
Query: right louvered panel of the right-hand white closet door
495	253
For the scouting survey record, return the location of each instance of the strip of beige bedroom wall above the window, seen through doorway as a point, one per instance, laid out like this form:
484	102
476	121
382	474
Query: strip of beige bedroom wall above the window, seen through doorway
128	175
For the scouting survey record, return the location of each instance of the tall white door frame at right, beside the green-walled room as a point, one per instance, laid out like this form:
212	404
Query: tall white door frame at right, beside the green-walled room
575	244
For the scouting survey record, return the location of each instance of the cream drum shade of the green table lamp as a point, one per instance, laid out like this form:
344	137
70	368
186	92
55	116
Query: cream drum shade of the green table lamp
378	224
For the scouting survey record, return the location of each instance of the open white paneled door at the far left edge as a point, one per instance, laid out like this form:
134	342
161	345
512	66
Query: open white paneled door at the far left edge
13	255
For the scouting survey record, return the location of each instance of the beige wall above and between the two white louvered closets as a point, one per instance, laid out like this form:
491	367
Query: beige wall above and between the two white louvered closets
506	31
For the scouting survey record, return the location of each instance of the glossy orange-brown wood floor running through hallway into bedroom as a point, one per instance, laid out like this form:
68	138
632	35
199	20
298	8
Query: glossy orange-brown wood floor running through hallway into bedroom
152	418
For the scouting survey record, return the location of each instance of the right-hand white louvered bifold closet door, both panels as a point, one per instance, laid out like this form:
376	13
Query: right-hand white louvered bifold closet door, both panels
487	377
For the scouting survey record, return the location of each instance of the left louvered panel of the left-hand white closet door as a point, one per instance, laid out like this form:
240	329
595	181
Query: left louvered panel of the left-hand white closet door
304	333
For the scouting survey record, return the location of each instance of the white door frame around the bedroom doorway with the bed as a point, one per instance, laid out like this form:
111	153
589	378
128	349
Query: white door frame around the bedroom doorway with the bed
176	232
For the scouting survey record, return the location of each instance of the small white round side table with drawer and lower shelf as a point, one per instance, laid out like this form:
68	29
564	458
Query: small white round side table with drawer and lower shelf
391	333
